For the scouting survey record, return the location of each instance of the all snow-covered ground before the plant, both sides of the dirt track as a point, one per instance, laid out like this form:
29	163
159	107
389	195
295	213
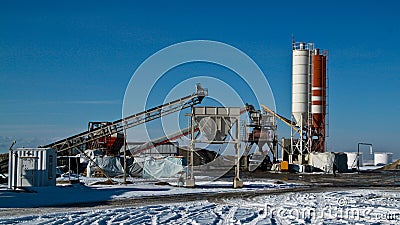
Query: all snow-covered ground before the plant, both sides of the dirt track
346	206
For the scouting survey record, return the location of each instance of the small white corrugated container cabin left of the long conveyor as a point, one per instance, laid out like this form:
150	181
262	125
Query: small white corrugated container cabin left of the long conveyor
32	167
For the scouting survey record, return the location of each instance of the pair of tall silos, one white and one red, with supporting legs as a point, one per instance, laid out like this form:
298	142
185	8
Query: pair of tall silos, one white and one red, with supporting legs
309	94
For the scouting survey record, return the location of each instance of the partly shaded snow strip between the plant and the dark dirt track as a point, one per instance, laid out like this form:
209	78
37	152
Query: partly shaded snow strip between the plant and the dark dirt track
79	194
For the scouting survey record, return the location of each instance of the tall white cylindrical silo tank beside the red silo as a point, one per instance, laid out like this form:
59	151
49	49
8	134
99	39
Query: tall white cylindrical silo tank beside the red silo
300	82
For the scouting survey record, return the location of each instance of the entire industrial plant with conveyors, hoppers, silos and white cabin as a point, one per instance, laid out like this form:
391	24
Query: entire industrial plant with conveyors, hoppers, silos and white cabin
304	151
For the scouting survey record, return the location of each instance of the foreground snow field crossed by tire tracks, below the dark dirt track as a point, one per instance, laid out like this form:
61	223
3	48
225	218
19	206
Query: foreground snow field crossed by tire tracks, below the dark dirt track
333	207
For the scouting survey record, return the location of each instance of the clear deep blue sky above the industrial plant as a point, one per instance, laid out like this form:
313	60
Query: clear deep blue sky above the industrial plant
63	64
